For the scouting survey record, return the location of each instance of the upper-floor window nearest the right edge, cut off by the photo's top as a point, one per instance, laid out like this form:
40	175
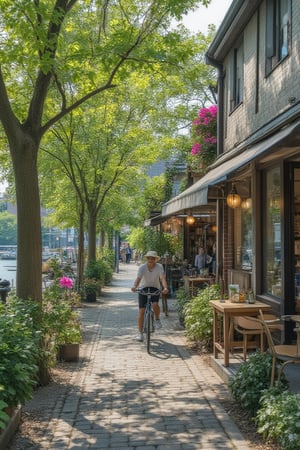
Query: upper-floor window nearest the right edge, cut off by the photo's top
278	27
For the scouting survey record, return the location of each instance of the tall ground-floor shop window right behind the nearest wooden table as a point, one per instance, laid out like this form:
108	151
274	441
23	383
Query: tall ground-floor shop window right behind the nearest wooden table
271	237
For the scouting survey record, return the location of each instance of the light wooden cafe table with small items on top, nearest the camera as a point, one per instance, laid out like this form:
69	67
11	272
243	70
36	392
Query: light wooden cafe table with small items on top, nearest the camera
222	338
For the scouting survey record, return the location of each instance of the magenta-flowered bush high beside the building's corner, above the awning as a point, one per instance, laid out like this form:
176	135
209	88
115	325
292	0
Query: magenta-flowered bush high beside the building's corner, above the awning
204	132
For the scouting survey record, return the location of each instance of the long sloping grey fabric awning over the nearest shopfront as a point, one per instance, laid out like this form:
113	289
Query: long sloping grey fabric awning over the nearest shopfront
198	194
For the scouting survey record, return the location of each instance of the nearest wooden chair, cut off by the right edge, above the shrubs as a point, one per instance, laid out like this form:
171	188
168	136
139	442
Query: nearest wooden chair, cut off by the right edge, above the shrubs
284	354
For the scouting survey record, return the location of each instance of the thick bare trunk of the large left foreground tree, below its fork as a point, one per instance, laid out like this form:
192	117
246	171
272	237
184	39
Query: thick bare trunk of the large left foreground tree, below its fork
29	260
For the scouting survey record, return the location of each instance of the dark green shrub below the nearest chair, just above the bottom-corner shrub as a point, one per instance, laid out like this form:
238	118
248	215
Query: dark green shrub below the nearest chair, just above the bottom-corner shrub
251	380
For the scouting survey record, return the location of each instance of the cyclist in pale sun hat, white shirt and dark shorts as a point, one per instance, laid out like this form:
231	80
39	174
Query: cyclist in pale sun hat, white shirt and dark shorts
150	275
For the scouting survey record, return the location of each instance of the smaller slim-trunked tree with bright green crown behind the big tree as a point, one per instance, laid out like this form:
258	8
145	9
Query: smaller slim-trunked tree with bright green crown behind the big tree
102	153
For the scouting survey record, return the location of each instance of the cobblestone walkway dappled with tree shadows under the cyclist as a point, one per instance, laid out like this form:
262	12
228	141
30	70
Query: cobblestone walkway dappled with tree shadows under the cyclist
121	398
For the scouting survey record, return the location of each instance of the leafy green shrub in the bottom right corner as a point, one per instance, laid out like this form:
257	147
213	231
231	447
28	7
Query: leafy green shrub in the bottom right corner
279	418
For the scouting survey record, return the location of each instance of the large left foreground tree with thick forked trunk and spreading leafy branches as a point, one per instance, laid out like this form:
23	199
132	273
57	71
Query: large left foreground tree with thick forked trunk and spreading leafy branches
56	55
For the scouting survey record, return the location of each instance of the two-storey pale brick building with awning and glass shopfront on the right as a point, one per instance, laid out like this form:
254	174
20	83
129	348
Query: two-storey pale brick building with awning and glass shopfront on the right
256	53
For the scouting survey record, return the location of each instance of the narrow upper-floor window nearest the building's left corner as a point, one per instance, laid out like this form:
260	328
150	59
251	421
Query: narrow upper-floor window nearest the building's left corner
237	74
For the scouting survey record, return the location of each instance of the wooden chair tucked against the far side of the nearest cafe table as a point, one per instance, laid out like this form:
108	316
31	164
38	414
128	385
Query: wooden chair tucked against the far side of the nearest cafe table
249	329
